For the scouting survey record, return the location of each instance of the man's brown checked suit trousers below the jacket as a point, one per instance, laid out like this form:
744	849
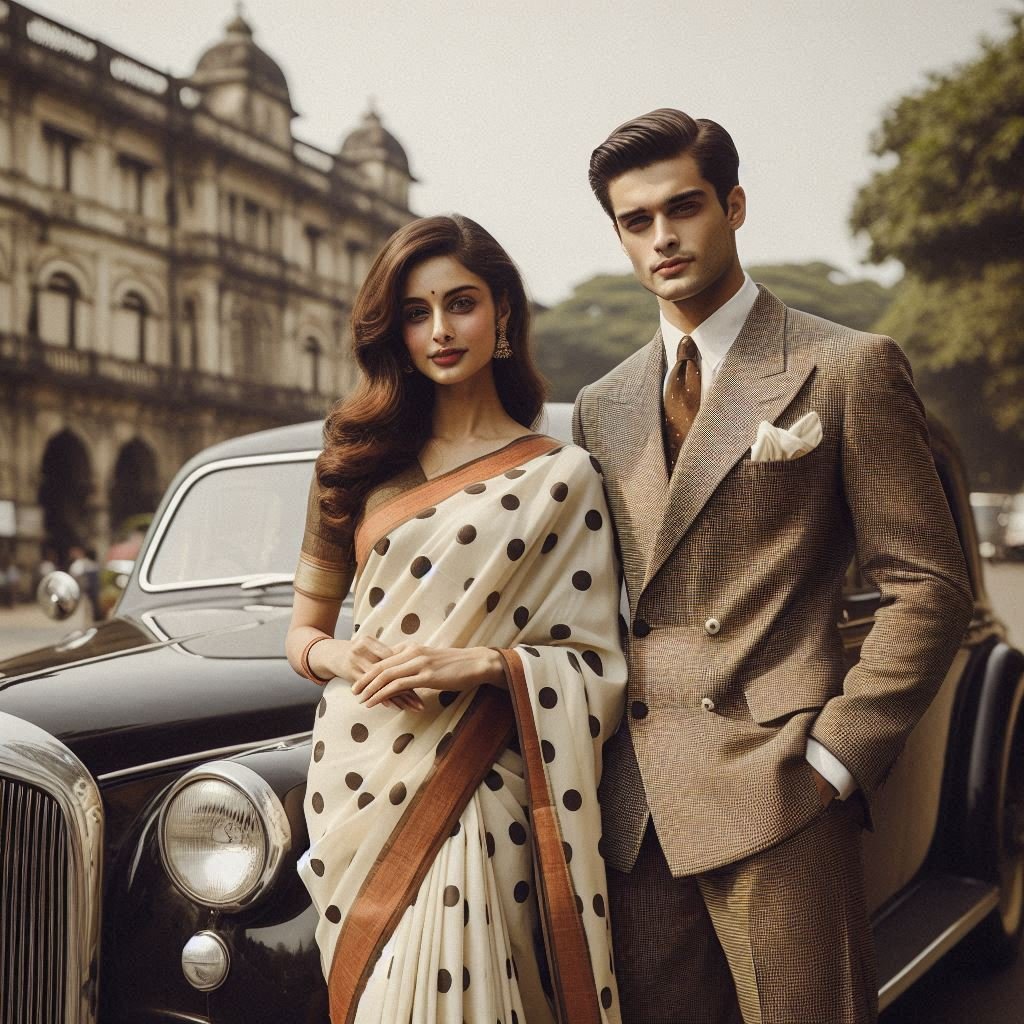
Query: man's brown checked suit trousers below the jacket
781	937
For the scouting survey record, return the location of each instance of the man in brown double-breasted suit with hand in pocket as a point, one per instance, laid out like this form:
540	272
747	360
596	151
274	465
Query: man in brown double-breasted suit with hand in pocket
750	451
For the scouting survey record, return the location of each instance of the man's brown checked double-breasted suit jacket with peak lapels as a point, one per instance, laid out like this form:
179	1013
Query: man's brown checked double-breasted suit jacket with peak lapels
735	572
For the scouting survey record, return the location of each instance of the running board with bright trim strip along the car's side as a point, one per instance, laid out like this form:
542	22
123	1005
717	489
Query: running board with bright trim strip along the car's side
923	925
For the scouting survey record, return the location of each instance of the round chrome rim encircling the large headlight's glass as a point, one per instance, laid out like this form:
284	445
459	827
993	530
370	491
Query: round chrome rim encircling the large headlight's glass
277	829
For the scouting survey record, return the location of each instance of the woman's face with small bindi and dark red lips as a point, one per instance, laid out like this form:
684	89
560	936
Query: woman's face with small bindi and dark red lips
449	321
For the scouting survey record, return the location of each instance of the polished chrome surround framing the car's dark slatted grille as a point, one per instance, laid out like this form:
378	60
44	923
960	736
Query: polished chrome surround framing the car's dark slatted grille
33	756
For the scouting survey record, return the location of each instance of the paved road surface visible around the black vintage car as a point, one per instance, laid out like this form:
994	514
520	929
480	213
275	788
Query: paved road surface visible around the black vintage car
955	993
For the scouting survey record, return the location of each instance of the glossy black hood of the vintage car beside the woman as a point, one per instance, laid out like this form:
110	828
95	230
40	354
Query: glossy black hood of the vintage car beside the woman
166	685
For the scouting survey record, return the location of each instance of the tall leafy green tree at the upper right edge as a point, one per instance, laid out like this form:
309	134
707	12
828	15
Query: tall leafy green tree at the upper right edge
951	208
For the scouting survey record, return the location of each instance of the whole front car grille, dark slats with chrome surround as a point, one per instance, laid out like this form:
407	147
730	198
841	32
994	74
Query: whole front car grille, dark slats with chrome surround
52	846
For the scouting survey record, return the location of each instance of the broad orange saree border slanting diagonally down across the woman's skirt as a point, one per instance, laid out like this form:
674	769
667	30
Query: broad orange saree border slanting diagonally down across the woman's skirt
390	889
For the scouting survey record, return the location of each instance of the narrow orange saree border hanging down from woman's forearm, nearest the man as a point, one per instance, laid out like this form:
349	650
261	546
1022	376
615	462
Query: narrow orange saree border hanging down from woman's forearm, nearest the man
573	976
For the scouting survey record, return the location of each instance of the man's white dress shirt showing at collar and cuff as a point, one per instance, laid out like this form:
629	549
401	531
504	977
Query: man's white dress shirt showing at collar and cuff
714	338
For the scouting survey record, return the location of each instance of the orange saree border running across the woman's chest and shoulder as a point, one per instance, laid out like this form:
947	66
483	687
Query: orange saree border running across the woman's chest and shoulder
382	521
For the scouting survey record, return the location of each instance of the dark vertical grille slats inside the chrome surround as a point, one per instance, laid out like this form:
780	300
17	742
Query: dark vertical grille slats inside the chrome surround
34	904
